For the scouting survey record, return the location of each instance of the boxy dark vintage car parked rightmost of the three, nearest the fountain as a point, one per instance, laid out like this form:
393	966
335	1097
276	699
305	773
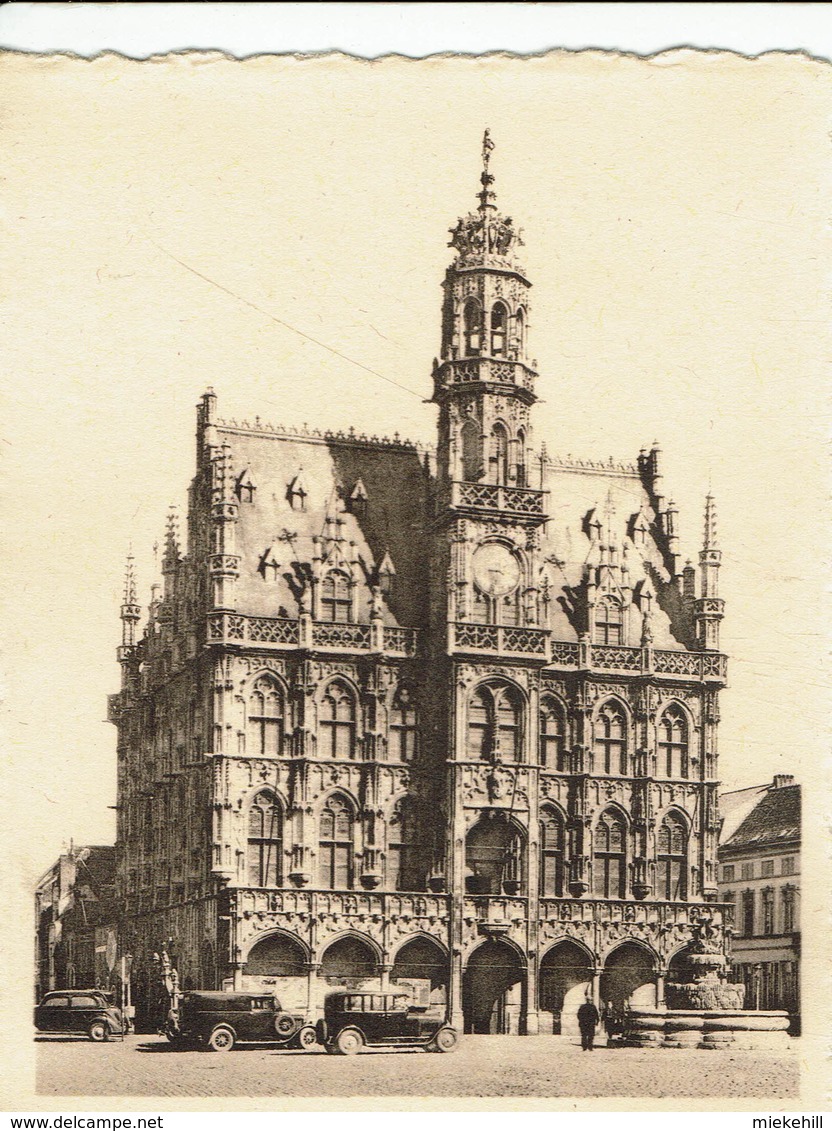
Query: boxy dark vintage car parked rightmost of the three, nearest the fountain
353	1021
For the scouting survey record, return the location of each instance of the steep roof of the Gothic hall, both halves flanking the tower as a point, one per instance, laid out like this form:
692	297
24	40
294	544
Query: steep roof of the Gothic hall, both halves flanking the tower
394	520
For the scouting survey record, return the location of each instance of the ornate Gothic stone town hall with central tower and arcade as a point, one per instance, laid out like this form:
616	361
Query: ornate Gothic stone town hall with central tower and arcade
446	719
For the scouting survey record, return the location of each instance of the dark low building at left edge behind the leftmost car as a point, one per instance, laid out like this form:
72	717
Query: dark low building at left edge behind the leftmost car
76	922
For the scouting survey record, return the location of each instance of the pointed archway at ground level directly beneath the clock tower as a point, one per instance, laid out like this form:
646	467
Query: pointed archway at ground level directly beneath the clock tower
493	990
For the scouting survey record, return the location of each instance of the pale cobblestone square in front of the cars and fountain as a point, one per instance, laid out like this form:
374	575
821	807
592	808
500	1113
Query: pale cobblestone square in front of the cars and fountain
482	1067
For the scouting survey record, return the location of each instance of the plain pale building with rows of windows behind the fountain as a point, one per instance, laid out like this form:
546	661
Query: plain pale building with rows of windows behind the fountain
760	876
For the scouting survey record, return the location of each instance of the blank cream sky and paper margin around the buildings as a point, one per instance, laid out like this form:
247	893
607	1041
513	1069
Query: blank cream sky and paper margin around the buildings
195	221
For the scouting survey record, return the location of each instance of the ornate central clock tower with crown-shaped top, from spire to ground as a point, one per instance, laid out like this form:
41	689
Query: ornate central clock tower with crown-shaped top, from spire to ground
489	614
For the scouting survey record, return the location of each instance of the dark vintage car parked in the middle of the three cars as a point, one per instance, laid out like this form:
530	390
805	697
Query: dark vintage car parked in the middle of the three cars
219	1021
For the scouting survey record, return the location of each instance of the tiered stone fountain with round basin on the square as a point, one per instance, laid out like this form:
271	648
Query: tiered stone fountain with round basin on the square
704	1011
